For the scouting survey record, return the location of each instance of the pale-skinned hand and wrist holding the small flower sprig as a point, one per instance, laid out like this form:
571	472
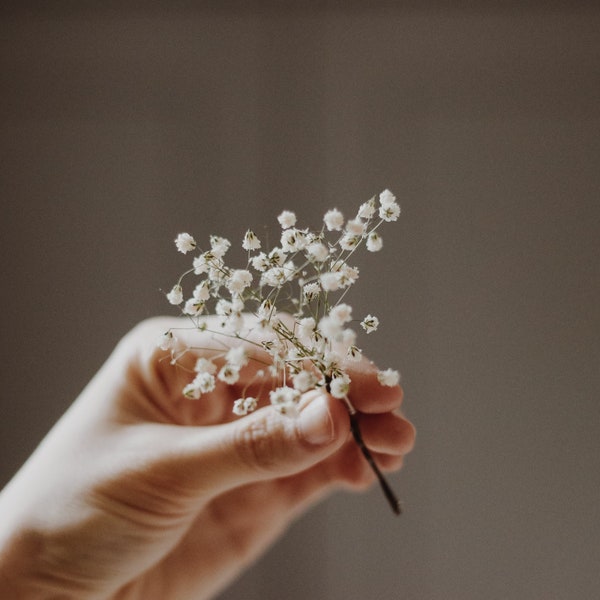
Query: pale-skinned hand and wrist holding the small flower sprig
141	493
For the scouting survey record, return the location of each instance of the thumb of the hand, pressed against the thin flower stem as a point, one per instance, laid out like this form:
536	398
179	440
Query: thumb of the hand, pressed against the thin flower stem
263	445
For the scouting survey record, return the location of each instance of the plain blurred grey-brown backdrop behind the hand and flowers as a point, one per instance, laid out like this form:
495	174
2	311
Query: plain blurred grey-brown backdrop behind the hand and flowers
126	123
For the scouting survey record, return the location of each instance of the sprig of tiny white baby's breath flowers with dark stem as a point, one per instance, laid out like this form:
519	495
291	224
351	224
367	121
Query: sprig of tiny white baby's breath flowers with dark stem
295	292
